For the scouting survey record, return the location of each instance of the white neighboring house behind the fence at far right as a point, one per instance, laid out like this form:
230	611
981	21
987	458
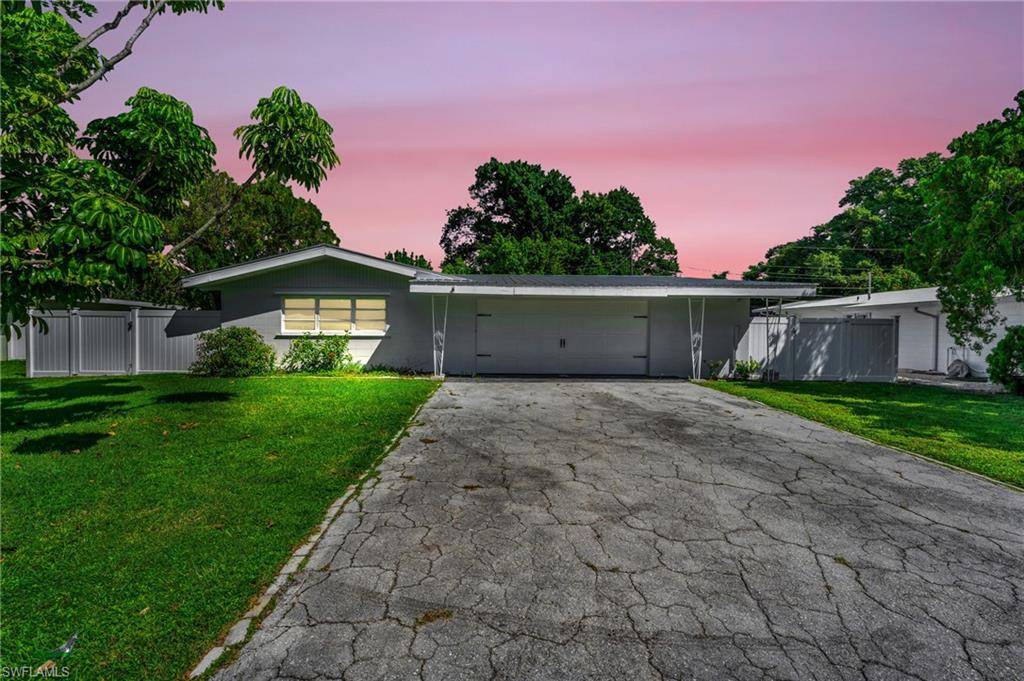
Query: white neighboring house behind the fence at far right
924	343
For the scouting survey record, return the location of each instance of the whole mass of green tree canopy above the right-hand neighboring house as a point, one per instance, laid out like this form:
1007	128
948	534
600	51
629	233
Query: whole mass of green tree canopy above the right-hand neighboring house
956	222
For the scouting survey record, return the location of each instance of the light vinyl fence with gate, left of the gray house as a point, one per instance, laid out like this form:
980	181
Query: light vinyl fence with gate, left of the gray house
81	343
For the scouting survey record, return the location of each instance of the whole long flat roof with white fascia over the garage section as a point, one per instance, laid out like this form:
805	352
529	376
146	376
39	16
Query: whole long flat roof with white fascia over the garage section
607	285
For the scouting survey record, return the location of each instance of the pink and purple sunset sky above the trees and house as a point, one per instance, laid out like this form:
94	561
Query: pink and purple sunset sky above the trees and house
739	125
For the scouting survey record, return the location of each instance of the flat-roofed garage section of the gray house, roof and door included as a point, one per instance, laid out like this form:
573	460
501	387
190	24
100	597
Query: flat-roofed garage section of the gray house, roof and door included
589	325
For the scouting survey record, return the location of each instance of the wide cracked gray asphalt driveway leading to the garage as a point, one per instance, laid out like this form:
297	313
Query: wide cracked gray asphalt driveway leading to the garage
649	530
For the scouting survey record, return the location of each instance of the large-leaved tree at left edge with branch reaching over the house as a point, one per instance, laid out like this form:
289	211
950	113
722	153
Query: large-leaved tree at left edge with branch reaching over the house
74	227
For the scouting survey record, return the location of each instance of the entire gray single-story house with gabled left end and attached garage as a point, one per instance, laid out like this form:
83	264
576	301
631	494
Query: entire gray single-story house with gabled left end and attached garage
404	317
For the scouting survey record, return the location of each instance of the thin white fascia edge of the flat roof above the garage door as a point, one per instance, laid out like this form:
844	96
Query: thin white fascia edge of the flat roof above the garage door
612	292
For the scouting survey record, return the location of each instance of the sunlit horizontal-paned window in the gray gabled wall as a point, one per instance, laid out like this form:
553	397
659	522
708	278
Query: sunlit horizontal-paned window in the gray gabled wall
337	316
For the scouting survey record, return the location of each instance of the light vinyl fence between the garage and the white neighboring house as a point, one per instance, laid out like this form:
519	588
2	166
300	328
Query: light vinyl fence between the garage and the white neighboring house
825	350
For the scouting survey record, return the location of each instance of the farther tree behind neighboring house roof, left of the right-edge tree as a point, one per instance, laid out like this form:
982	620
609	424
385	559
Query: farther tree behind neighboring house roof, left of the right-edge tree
869	238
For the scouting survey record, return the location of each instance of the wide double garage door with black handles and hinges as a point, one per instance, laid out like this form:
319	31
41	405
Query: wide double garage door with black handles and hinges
543	336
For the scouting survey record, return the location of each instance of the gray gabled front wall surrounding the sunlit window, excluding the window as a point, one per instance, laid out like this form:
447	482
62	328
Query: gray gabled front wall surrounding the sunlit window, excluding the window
257	303
